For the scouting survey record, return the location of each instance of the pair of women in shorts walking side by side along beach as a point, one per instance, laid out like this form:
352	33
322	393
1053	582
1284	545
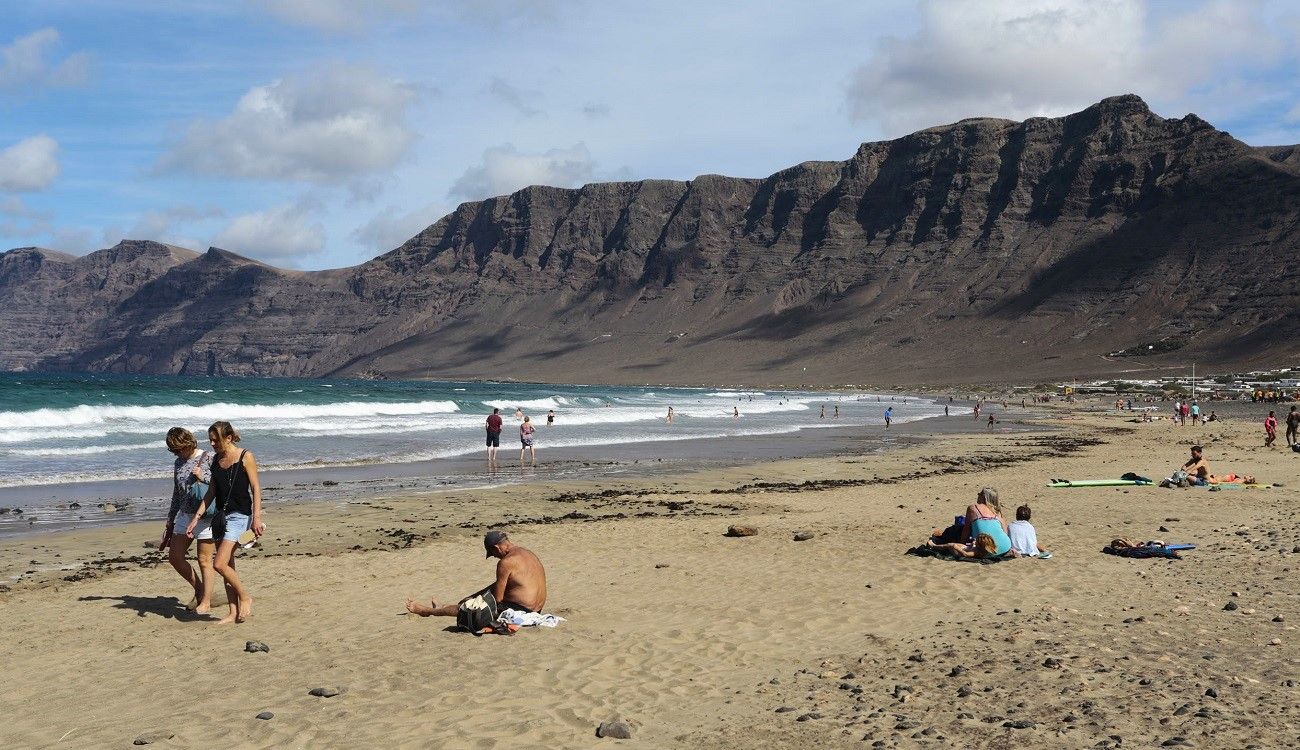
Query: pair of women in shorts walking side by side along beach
216	500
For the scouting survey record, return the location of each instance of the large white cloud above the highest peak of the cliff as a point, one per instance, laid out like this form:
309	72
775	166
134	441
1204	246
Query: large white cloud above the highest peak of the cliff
1047	58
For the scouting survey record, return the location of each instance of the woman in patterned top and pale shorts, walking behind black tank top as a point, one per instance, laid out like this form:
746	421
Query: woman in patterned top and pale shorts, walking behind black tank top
192	475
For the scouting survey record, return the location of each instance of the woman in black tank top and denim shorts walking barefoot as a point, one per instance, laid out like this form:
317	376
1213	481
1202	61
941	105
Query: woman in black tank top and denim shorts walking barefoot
237	493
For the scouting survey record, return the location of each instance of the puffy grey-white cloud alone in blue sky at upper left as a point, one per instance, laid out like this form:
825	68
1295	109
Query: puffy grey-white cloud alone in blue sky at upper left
328	128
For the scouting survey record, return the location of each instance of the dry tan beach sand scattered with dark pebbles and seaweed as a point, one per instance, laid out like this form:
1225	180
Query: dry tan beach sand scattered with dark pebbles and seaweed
697	640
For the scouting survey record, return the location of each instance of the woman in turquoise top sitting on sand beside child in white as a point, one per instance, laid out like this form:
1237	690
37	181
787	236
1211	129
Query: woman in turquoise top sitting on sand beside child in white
983	532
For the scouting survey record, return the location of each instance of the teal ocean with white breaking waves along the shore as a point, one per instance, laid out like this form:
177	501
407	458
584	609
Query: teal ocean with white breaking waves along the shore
67	431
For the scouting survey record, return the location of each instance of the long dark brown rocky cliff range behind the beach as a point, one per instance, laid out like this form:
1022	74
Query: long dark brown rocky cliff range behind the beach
983	250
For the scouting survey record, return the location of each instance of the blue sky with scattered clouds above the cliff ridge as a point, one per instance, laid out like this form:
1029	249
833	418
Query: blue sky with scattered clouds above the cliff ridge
322	133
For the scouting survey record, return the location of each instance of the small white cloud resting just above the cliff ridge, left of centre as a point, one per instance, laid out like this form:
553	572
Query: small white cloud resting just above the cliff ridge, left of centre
505	170
